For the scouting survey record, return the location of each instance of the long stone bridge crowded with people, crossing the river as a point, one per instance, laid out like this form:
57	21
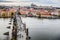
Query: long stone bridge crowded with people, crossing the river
19	30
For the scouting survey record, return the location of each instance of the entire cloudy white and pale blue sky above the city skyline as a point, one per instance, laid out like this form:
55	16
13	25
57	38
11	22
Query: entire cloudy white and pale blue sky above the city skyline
29	2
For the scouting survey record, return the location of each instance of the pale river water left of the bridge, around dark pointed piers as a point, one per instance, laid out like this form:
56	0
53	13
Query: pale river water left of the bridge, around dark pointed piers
4	23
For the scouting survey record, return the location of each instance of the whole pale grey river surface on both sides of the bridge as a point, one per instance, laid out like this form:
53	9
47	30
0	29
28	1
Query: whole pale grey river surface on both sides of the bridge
39	29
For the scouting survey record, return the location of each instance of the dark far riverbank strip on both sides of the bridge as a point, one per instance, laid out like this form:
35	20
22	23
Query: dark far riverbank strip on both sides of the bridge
51	17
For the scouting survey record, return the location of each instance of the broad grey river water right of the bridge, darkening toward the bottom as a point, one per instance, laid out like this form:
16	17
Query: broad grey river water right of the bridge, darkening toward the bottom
43	29
